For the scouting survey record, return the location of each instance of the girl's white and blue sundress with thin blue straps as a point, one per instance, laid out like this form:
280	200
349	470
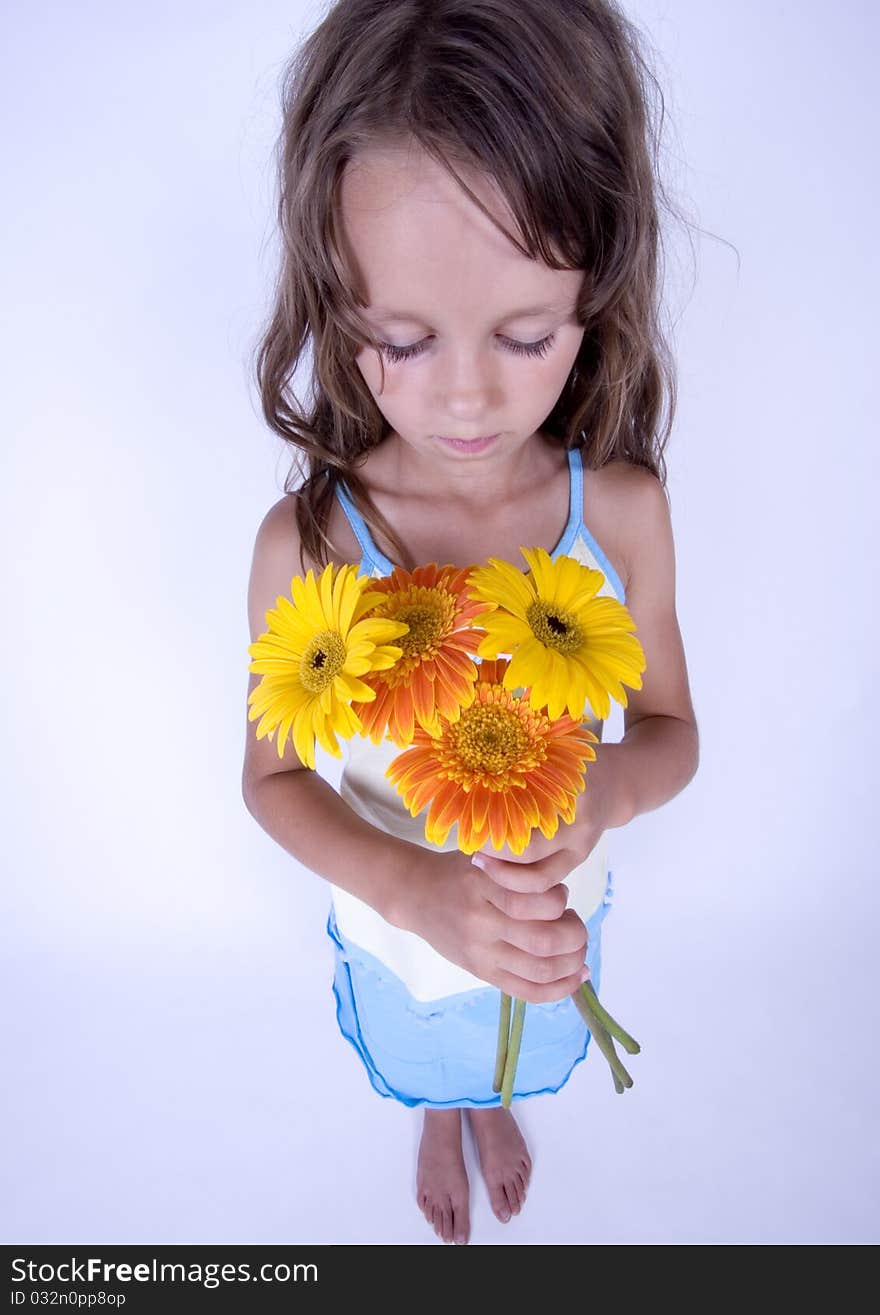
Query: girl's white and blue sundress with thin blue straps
424	1028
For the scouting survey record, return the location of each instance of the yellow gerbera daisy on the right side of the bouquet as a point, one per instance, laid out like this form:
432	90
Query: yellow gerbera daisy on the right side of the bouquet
568	645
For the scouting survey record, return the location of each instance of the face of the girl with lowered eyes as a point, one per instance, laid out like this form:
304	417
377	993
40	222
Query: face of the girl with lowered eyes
481	340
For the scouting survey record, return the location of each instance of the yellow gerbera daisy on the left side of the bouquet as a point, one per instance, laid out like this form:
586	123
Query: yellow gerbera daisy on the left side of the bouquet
312	657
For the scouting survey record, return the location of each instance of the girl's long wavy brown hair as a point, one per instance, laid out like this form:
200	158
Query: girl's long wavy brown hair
549	98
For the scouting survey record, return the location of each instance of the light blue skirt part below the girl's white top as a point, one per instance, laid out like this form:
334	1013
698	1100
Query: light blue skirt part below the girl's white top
441	1054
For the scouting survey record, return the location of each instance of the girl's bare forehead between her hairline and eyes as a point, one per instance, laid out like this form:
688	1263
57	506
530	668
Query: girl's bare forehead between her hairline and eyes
418	243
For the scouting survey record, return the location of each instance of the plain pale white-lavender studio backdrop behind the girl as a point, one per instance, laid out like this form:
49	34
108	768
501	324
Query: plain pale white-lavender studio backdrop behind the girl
176	1072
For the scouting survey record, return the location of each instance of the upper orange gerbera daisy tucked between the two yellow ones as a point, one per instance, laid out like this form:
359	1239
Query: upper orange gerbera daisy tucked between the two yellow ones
436	674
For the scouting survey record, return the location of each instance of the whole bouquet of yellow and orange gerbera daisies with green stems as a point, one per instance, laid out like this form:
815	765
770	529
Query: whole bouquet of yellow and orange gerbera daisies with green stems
498	748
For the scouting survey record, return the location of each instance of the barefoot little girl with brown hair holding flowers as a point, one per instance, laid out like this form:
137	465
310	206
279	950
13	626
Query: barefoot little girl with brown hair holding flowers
470	247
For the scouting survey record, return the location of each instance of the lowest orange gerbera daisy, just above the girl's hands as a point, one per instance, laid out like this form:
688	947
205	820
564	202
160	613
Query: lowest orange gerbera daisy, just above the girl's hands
499	771
